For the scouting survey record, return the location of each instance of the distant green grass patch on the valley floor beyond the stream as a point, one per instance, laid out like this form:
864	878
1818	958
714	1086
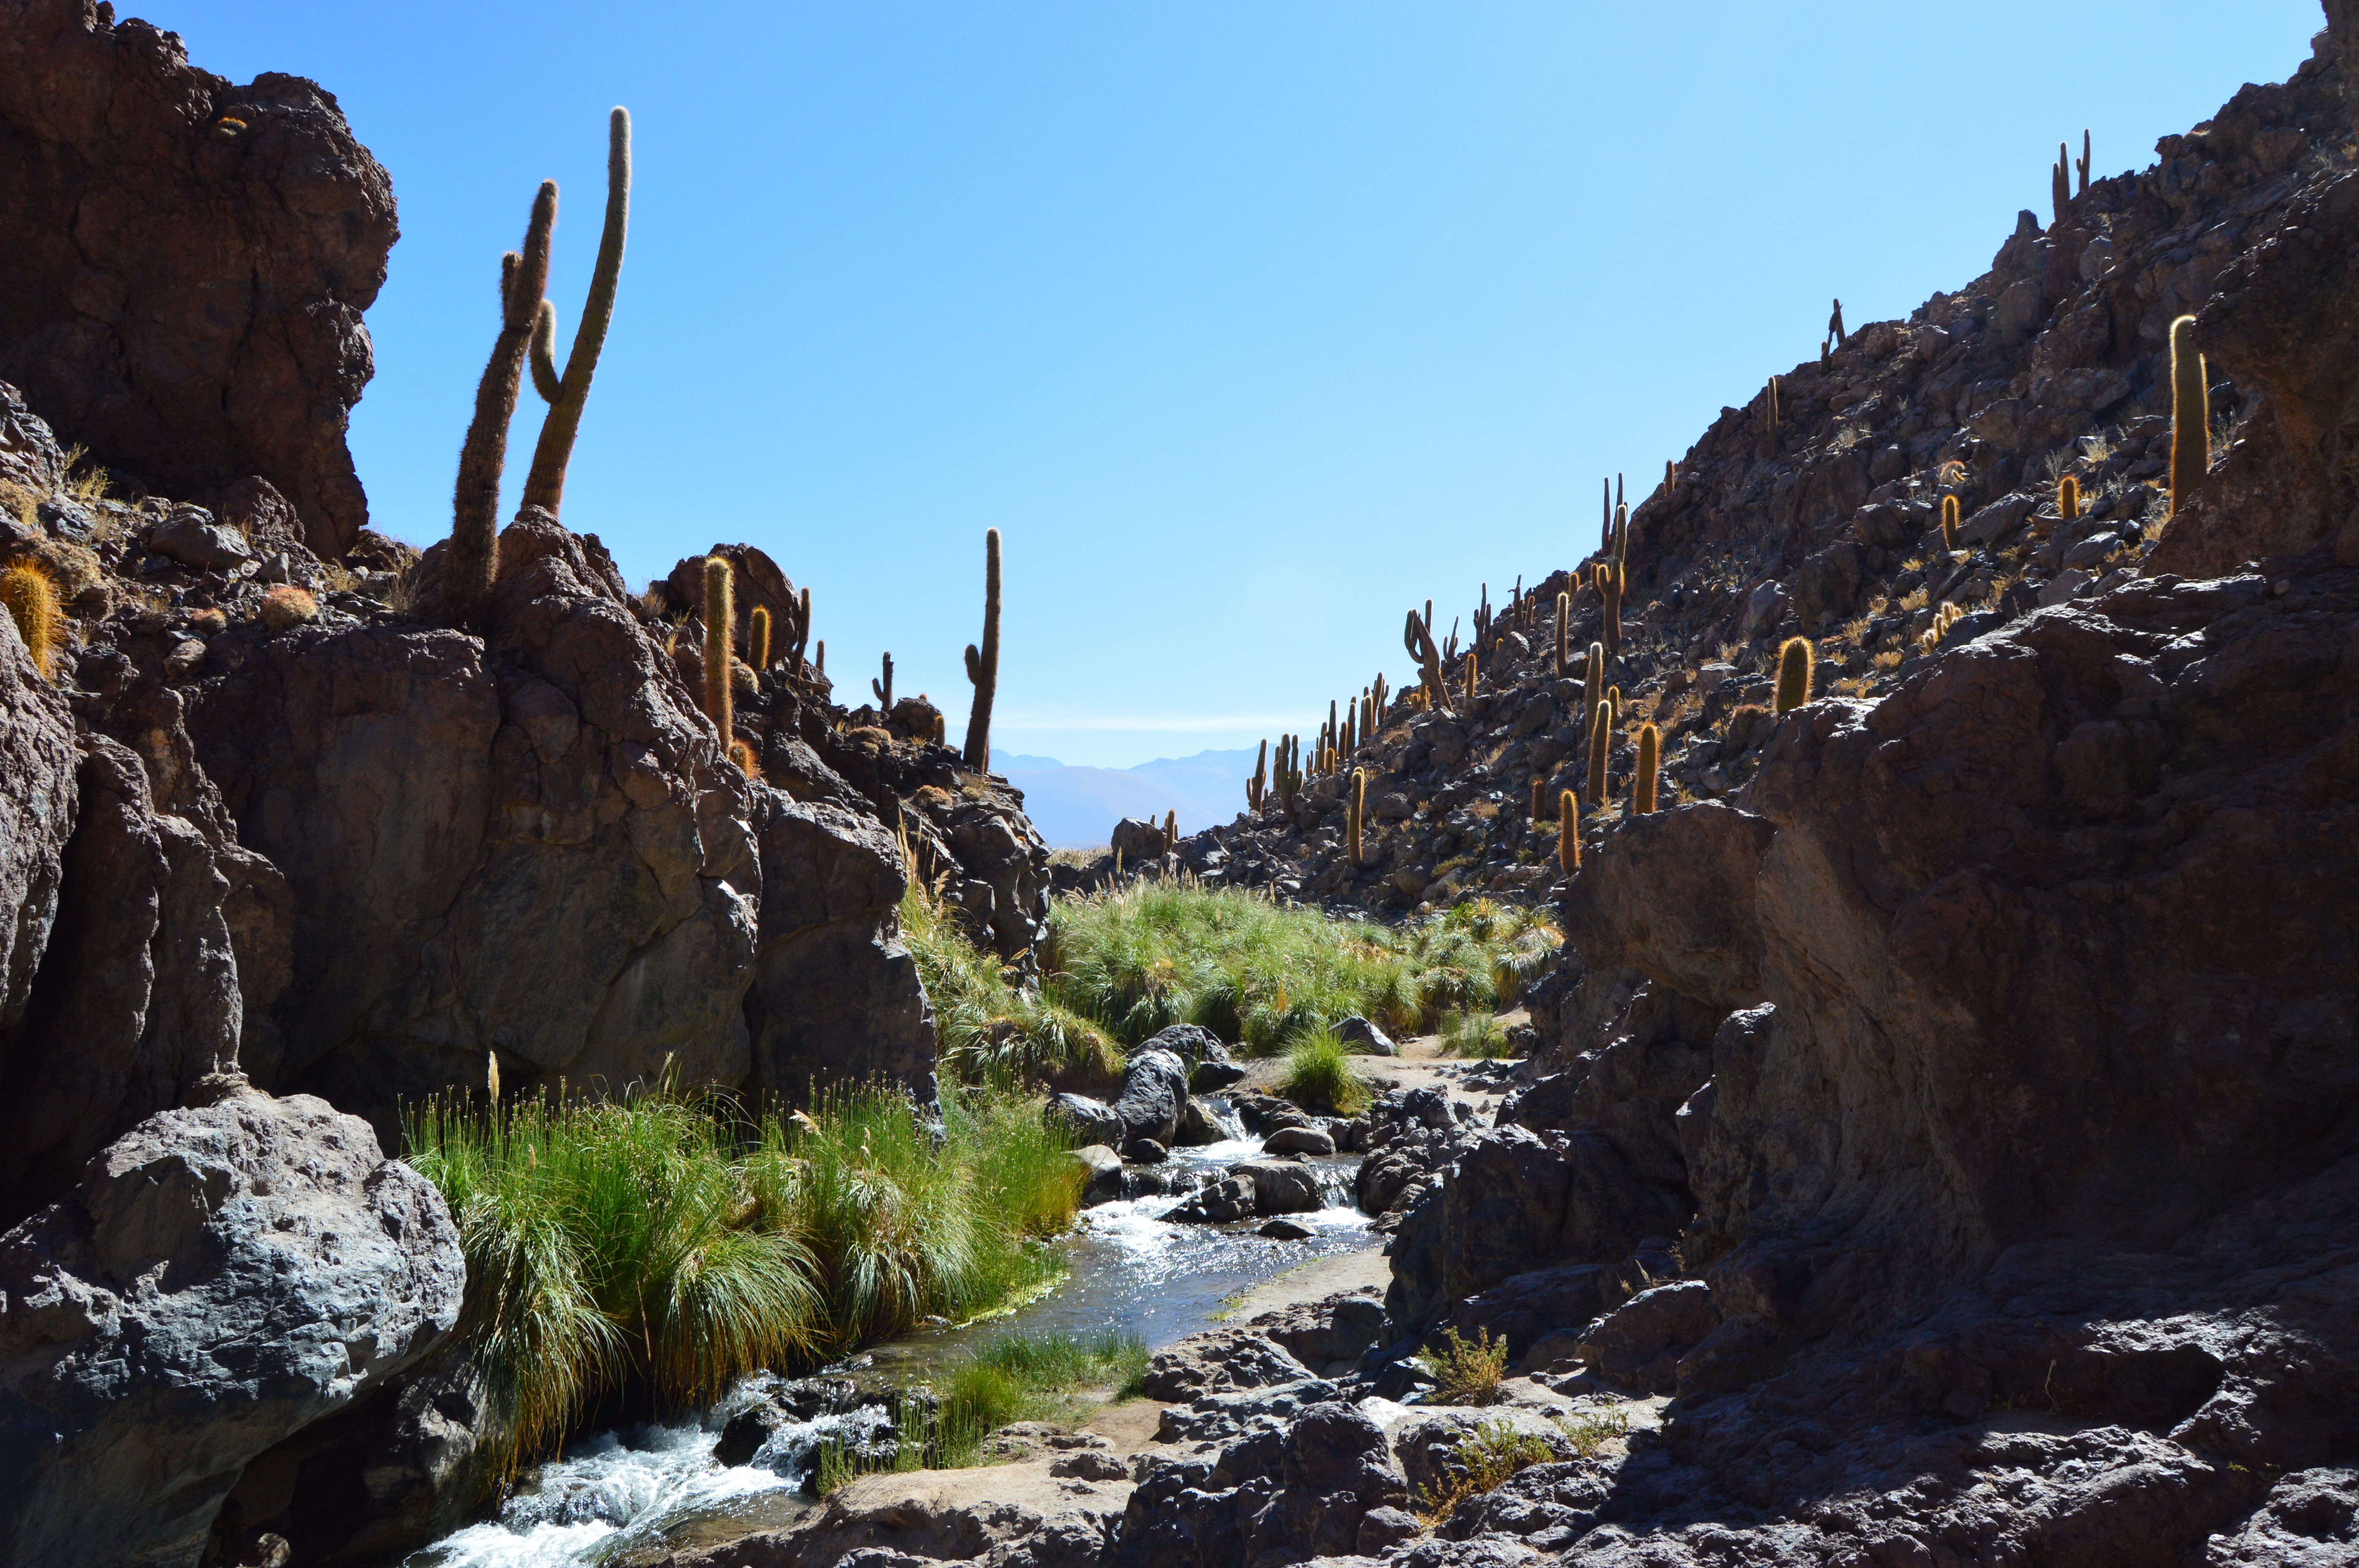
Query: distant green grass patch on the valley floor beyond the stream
1235	961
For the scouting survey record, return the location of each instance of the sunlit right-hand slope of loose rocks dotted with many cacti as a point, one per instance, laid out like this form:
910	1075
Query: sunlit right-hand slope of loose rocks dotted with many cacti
1822	520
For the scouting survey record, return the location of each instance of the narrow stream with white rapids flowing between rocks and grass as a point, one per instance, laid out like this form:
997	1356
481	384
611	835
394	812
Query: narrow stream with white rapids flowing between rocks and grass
622	1496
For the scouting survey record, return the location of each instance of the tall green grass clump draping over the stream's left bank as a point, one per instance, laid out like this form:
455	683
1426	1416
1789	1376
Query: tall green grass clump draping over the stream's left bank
655	1249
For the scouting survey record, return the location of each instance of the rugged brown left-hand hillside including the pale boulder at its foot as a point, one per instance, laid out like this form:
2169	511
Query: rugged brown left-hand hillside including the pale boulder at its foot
284	848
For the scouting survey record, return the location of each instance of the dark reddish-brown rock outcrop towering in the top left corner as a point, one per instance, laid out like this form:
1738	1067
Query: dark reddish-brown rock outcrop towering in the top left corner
183	296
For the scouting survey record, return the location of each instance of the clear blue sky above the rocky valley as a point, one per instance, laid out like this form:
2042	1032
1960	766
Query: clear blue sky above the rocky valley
1247	322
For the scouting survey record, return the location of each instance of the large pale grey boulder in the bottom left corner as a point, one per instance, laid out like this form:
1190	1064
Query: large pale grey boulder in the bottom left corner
221	1279
